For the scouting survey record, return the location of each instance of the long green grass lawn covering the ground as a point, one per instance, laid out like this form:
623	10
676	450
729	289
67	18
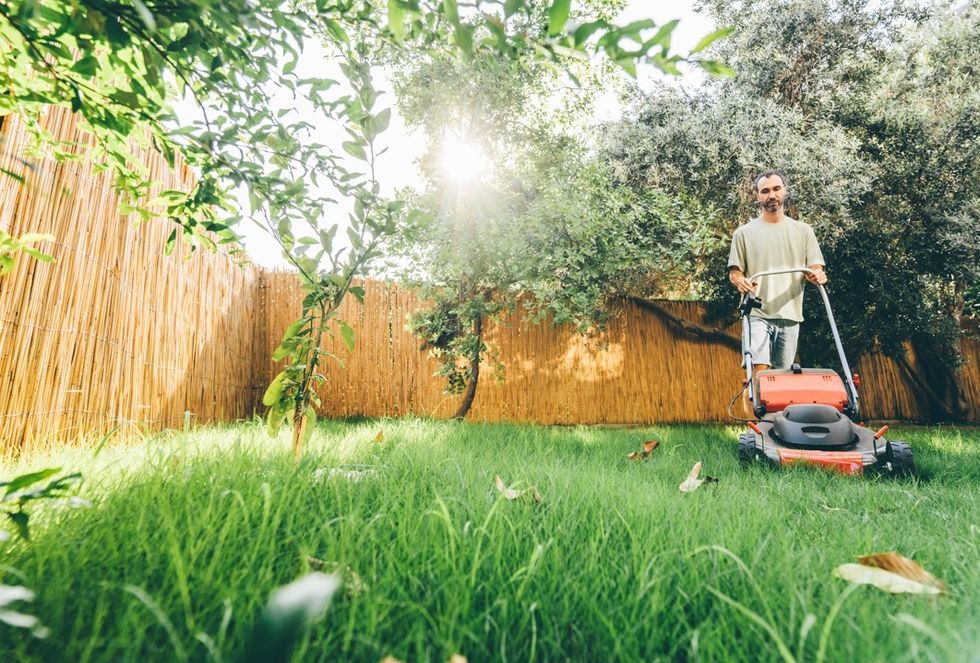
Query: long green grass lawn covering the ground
187	536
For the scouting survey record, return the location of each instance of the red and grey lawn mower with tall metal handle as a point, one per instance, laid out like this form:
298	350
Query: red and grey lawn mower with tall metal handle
808	415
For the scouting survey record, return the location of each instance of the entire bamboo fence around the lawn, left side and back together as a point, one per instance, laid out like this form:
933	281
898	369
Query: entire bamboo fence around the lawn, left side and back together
116	332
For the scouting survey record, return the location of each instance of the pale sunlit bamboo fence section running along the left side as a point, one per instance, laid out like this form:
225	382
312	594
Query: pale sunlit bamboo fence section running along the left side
113	332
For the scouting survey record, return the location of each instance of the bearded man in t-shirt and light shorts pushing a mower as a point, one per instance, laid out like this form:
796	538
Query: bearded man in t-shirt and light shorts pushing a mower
768	242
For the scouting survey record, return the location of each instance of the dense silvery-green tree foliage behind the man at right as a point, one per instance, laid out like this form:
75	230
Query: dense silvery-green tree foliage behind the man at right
870	110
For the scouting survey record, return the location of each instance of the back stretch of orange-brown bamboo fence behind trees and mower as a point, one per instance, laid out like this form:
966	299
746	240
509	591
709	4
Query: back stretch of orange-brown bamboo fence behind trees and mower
641	370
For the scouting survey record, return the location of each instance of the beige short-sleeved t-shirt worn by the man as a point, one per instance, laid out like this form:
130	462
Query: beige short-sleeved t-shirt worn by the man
759	246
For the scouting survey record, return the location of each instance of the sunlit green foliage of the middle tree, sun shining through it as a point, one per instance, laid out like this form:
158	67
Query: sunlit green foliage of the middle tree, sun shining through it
486	244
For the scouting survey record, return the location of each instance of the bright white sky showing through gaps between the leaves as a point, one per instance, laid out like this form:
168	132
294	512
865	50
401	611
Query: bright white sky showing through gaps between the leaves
397	168
